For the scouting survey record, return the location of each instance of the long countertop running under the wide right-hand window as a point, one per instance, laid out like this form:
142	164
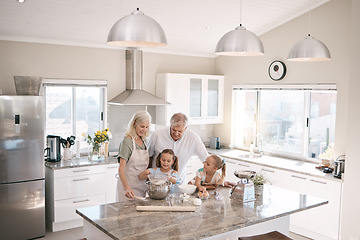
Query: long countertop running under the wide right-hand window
296	166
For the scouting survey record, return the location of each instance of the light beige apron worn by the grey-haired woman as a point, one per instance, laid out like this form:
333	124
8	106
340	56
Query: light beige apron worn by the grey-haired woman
138	162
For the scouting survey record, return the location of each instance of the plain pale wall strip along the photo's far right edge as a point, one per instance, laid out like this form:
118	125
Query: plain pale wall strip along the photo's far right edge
350	222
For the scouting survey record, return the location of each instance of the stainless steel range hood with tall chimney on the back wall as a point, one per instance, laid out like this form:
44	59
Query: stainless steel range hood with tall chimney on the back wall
134	93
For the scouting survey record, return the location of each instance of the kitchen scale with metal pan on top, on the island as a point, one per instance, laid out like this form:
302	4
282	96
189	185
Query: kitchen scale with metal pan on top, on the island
244	189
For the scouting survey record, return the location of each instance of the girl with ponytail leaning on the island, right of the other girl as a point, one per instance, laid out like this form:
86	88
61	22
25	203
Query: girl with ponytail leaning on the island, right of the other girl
209	177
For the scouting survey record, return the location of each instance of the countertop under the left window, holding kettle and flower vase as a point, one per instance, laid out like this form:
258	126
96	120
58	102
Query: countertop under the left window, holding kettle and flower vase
83	161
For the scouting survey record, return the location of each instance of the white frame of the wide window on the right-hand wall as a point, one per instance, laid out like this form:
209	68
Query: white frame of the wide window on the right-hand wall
256	88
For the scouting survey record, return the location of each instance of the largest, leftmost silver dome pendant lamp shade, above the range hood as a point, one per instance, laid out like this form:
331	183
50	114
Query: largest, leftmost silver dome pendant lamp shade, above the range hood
137	30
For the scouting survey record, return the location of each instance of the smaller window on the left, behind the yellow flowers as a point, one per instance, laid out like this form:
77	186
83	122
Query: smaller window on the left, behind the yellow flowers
74	107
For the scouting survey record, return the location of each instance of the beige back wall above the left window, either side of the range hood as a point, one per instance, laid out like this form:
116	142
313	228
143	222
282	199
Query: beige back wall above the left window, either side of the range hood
57	61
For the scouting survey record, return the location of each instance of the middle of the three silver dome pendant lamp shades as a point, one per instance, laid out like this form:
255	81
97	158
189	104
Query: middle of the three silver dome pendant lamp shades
240	42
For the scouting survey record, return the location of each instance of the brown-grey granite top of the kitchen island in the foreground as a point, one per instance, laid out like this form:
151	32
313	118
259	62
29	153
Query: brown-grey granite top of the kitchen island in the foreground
213	217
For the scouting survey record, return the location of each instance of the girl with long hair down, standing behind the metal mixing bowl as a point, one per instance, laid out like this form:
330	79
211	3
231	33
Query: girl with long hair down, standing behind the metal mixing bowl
166	162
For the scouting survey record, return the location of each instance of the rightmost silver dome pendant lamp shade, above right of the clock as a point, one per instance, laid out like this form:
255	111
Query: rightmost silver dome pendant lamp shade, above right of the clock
309	49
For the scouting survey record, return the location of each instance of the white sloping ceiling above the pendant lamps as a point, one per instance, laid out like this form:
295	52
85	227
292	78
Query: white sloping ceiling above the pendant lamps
192	27
